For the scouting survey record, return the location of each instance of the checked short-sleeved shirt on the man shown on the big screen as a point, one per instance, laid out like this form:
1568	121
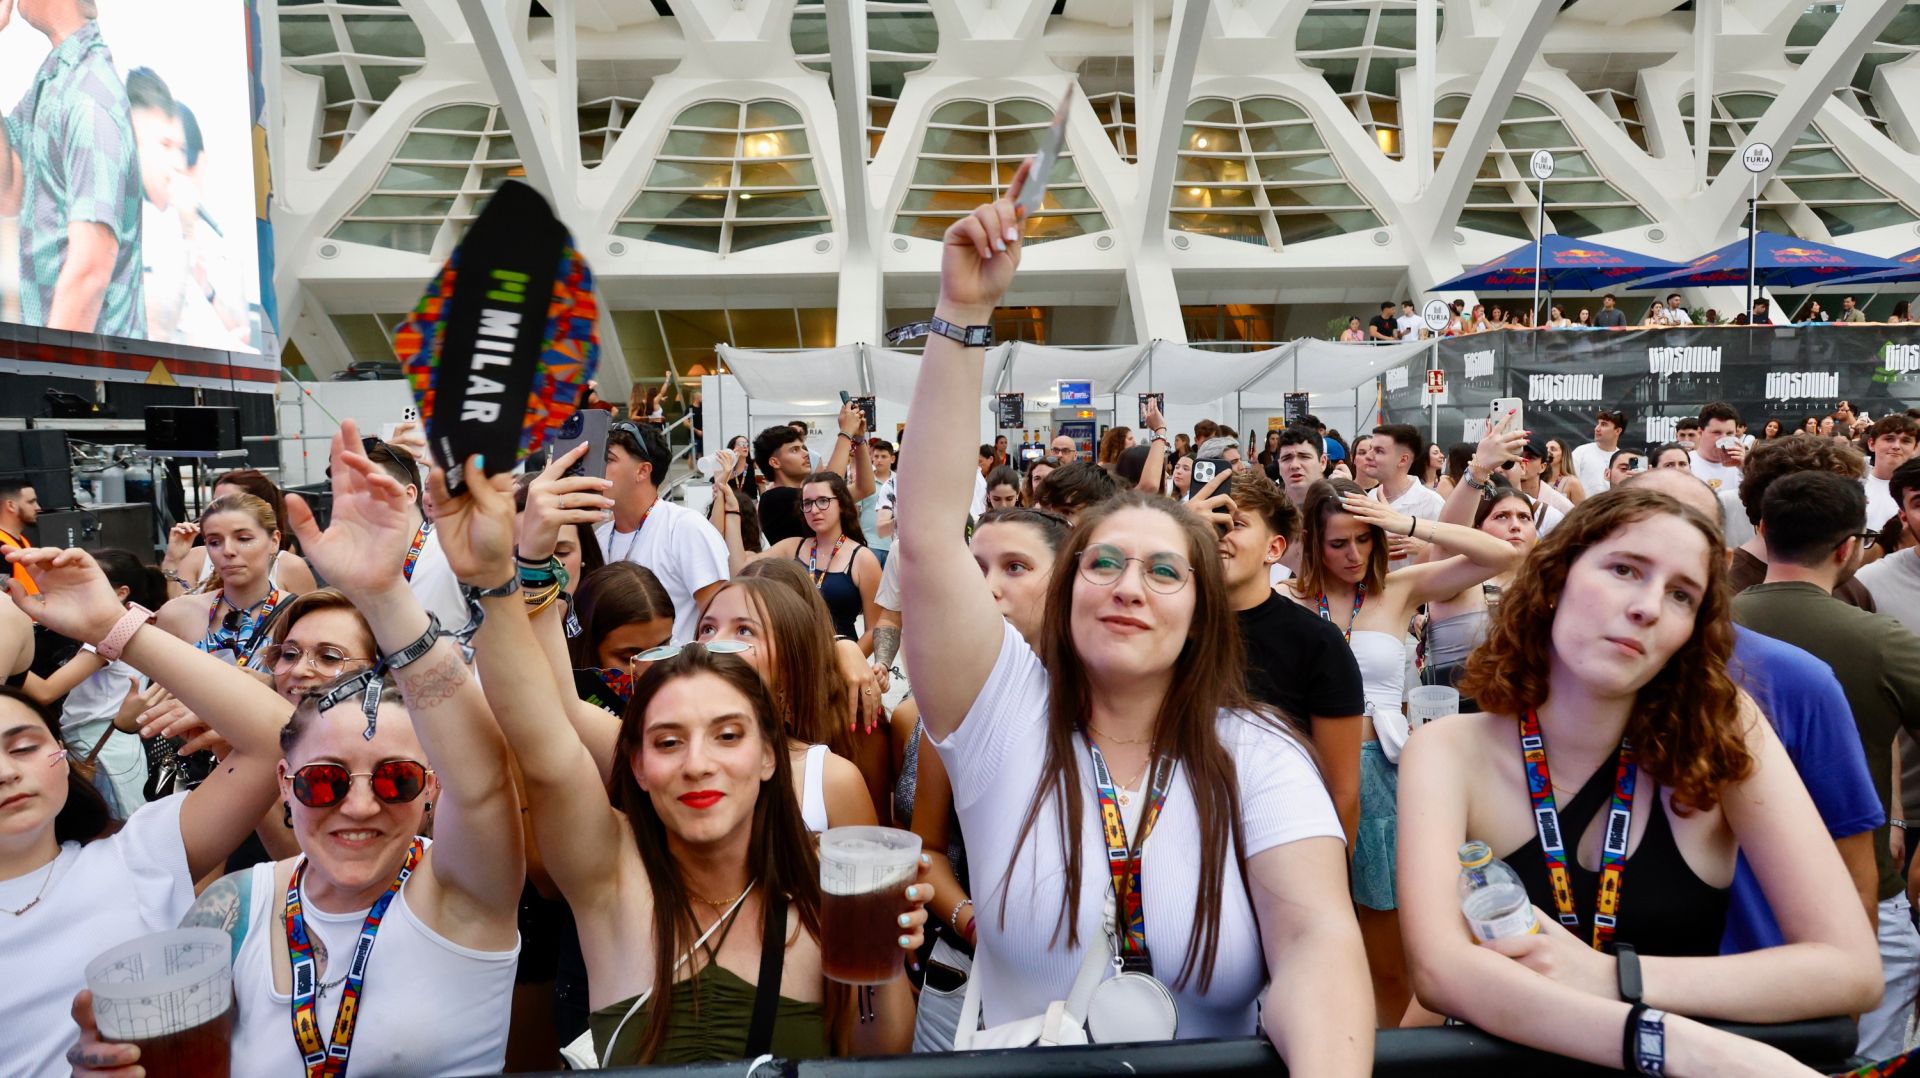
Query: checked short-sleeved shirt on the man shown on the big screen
76	147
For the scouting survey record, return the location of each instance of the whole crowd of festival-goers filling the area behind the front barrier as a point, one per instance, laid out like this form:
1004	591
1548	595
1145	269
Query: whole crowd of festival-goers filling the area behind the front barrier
1157	729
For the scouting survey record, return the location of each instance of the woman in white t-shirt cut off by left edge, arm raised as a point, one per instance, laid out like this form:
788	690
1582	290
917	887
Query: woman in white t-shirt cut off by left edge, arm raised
72	881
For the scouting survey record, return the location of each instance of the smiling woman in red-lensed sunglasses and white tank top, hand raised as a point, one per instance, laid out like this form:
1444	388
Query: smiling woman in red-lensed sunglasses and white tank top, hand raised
360	779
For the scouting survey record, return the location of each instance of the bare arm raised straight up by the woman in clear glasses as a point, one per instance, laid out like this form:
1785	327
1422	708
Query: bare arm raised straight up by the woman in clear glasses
961	627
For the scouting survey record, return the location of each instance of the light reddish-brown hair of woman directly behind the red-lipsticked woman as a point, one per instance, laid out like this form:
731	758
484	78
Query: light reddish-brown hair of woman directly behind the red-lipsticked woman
804	677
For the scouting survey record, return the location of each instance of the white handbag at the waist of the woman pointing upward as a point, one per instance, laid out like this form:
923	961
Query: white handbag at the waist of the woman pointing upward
1126	1008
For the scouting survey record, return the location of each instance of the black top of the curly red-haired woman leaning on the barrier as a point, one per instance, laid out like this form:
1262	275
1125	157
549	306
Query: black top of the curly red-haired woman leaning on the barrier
1666	910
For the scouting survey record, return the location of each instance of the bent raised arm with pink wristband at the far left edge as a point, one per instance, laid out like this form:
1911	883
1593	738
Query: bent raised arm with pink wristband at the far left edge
76	600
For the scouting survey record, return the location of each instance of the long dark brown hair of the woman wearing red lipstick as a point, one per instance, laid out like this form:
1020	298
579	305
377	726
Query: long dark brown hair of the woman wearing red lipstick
780	854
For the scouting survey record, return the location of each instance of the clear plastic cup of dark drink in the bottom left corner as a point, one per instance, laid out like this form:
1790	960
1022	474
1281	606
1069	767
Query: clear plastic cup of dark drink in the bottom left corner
170	994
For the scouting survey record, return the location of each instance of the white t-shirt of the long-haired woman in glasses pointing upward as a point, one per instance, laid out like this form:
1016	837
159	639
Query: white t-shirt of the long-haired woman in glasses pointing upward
996	766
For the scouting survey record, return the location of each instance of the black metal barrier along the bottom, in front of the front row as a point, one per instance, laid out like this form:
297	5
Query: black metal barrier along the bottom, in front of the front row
1428	1054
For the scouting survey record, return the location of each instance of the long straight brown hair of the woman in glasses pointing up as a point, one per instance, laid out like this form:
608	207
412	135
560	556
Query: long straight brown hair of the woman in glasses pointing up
1209	677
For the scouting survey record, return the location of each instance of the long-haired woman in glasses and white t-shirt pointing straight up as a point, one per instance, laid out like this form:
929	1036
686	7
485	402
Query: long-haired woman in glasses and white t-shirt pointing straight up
1243	873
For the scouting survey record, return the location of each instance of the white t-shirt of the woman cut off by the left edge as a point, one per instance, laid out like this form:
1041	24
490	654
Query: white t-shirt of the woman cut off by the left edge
101	894
